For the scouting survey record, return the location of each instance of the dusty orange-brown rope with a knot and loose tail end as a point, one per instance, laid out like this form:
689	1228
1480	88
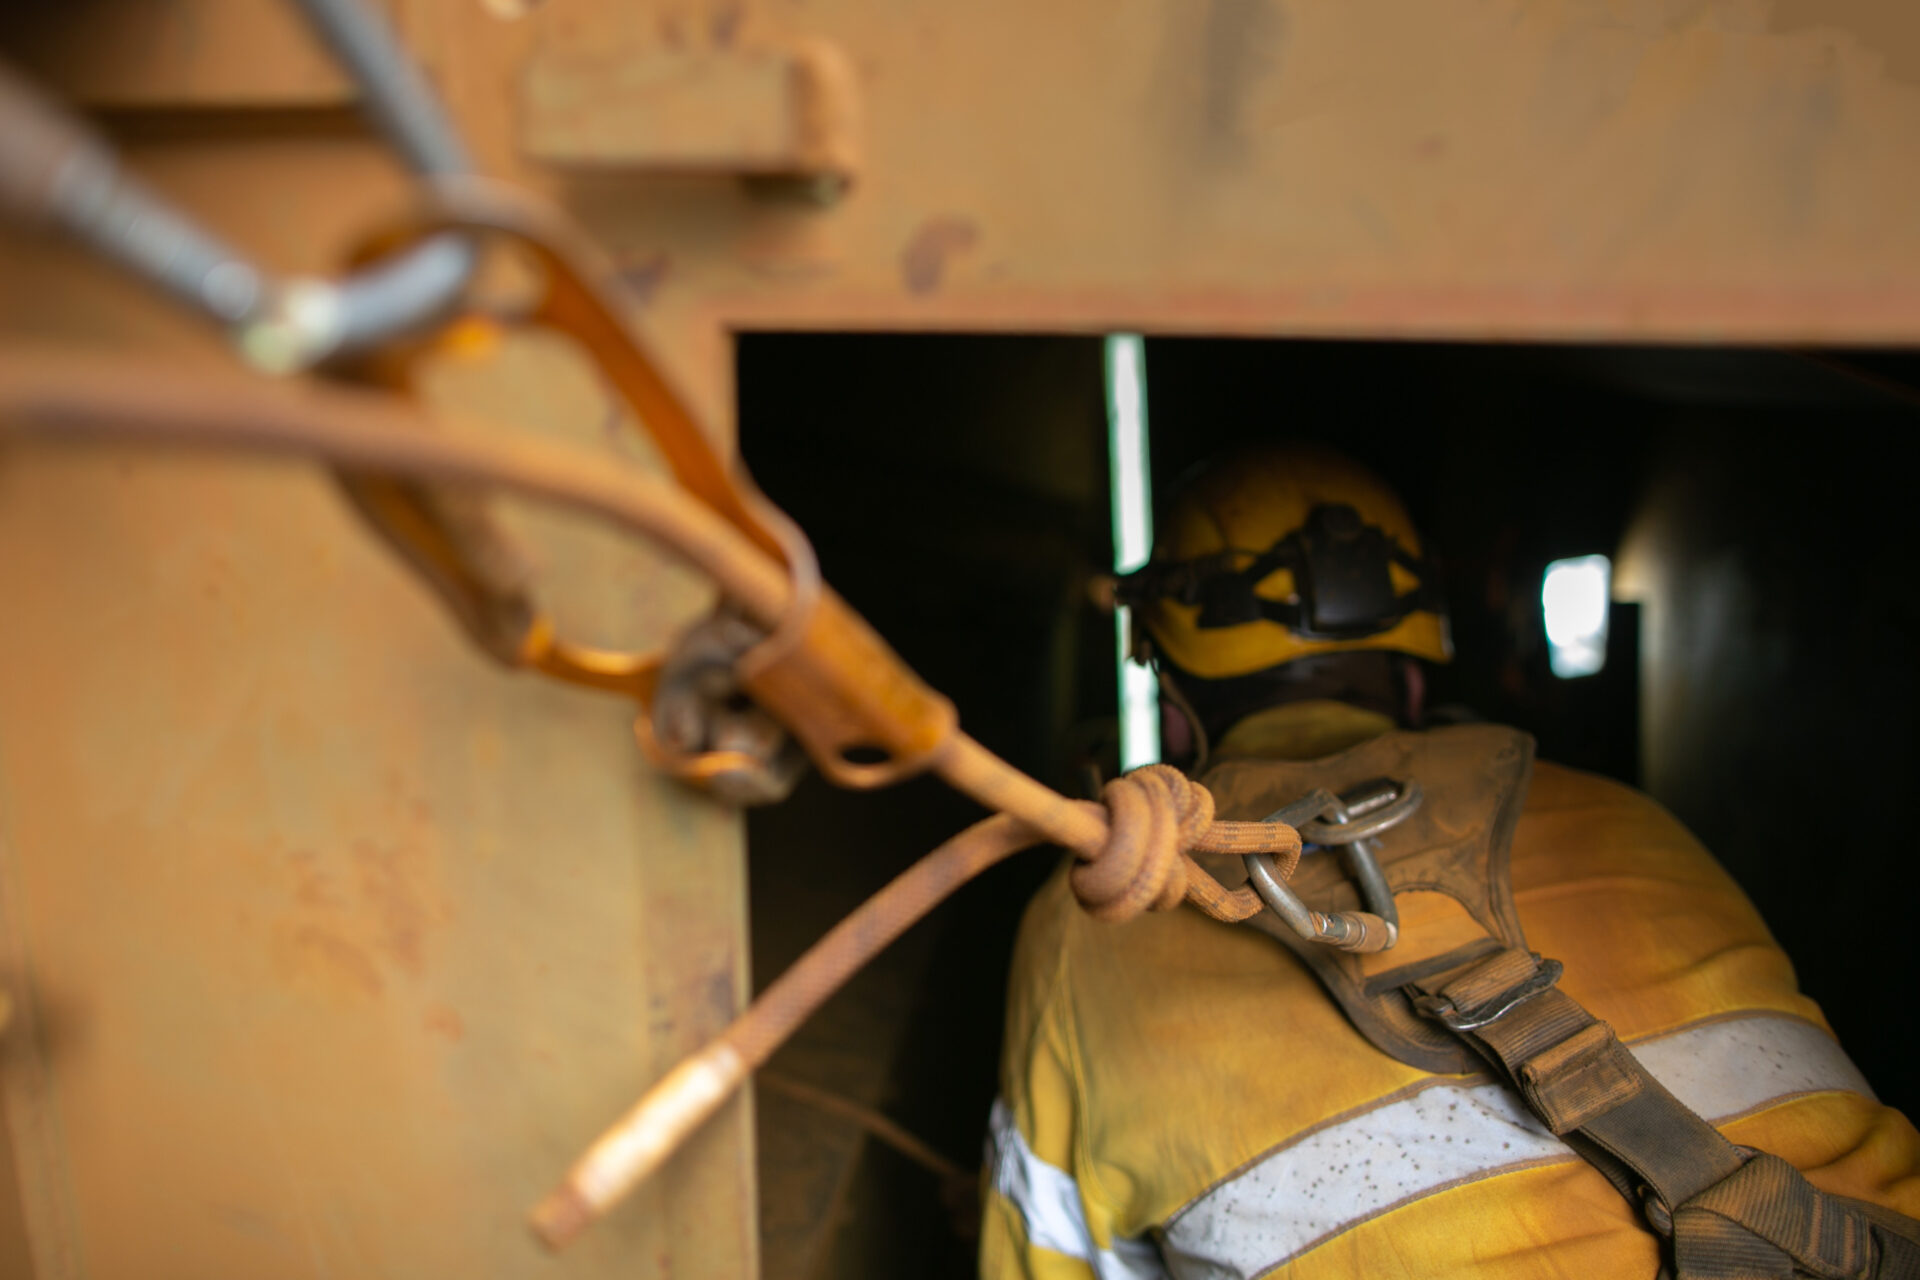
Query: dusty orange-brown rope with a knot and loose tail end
1134	851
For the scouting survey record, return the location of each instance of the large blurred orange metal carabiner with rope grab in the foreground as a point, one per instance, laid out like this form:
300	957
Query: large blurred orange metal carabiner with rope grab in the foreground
823	671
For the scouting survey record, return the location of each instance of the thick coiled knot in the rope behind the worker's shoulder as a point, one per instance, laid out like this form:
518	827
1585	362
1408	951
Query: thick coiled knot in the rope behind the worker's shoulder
1155	817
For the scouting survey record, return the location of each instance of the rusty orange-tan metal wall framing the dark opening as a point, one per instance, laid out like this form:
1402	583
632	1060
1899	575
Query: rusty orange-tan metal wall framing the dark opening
329	943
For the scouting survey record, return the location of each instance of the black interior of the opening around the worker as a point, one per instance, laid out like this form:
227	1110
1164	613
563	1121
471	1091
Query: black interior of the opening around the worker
1762	673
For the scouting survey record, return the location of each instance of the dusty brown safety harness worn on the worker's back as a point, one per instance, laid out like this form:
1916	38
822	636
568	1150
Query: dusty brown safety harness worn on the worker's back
1495	1005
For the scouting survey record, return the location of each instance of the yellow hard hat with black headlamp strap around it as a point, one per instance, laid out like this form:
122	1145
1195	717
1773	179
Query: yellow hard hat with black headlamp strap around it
1284	552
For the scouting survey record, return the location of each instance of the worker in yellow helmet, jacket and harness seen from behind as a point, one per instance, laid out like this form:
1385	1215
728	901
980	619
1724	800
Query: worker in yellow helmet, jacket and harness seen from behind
1193	1099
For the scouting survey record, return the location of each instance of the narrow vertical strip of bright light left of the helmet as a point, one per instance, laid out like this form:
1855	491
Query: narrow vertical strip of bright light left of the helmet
1134	536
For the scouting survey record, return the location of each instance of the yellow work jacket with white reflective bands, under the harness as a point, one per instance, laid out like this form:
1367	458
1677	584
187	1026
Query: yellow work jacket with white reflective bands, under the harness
1182	1099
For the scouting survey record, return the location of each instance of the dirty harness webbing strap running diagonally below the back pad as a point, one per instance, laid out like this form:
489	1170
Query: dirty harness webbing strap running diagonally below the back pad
1729	1212
